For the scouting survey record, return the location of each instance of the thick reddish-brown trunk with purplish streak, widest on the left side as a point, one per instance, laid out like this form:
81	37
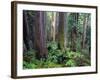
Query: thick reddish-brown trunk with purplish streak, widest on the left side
40	41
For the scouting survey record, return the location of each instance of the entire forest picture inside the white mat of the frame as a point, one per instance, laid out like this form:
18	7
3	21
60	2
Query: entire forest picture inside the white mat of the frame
56	39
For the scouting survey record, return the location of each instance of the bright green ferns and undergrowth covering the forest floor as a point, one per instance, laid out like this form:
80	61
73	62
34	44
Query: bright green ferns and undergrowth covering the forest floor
56	58
